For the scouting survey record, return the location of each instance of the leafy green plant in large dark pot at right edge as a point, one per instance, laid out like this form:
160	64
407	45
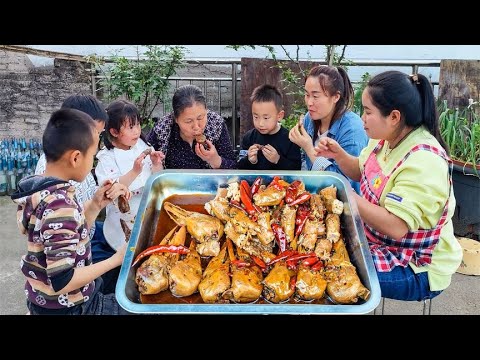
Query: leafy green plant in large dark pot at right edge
461	131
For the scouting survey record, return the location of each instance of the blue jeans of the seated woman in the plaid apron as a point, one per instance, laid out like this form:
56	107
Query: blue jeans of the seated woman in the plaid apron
403	284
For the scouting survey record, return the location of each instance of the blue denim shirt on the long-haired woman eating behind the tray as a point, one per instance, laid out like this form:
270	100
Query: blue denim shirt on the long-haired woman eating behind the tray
348	131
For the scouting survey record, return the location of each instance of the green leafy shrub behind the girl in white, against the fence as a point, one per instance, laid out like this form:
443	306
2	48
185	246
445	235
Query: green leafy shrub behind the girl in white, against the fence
142	80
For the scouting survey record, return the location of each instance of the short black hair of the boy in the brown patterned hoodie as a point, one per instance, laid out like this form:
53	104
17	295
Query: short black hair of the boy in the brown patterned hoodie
67	129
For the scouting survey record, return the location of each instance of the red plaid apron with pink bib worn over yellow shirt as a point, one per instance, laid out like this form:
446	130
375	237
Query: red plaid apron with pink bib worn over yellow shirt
416	246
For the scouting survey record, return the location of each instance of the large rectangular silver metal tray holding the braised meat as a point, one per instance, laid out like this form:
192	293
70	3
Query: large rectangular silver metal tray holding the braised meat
170	182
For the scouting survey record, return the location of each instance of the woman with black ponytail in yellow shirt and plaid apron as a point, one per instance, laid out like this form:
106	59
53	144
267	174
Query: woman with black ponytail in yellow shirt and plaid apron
407	199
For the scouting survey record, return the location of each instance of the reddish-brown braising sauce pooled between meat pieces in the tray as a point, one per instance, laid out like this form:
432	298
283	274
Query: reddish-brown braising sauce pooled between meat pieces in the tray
196	203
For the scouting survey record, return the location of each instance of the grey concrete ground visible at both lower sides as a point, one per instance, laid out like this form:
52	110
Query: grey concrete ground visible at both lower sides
461	298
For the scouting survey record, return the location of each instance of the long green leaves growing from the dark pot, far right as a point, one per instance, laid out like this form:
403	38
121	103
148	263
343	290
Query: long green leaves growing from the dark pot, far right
460	128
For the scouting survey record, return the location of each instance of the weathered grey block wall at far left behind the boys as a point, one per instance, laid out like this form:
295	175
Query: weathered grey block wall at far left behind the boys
29	95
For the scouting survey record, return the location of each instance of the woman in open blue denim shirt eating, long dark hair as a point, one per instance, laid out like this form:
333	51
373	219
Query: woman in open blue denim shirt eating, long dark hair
329	98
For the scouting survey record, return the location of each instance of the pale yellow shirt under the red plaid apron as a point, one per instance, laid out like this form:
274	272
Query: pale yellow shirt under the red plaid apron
420	188
